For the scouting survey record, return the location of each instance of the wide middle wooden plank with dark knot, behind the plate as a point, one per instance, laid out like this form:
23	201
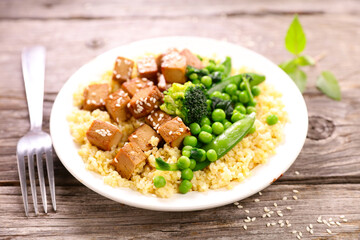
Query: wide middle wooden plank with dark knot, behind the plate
330	154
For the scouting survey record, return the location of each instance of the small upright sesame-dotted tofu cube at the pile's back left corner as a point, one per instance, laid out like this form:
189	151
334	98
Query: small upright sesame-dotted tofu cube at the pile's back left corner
122	69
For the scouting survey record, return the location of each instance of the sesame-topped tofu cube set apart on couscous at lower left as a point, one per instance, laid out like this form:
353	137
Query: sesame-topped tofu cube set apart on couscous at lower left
103	135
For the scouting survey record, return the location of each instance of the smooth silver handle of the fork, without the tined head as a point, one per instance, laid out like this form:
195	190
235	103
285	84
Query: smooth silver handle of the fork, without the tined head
33	66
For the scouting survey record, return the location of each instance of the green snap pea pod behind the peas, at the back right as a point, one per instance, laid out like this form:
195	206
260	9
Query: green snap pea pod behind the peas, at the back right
255	80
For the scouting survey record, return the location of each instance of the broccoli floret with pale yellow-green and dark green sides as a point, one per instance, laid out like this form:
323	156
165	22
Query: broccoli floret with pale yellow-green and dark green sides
187	101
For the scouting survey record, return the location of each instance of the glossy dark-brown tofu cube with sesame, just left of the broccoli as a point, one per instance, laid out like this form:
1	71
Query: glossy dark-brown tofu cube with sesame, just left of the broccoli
144	101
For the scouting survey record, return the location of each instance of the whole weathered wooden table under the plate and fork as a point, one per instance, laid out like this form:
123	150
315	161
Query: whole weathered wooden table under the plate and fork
326	173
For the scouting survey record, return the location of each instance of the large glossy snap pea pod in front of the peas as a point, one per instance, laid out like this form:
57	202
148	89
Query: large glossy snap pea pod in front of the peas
228	139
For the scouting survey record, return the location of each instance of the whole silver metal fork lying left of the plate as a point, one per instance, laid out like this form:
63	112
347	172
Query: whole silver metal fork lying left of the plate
35	143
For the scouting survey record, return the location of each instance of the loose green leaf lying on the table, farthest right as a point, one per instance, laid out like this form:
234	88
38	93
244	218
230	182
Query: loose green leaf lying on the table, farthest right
328	84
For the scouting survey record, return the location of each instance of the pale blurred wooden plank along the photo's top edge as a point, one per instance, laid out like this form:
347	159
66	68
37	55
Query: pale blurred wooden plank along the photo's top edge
91	9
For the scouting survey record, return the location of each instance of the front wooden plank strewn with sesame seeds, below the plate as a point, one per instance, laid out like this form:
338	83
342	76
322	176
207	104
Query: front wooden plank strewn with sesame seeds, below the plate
85	214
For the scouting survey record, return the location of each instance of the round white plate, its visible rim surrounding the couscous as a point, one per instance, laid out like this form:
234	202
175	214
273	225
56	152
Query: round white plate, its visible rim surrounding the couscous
262	176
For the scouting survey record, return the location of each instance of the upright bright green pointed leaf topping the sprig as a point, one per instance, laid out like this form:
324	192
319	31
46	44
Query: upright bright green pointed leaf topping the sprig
295	40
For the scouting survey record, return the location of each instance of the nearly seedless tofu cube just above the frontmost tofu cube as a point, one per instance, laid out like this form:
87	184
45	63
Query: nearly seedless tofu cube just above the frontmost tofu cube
143	136
